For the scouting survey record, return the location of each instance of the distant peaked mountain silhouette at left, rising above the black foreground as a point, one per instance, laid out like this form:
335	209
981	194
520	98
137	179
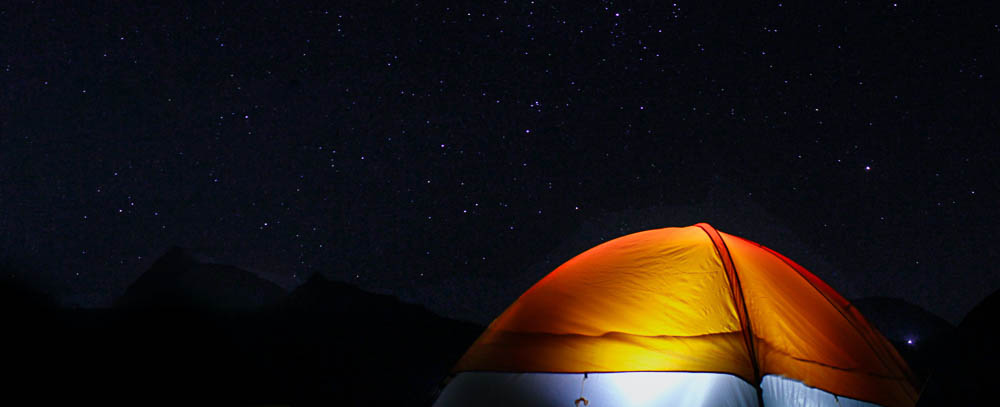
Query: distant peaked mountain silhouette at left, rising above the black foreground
178	279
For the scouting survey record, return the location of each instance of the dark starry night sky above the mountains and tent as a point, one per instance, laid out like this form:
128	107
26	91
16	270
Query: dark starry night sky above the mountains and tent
451	153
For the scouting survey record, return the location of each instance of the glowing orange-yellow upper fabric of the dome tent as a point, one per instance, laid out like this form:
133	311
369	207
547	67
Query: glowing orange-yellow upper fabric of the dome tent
693	299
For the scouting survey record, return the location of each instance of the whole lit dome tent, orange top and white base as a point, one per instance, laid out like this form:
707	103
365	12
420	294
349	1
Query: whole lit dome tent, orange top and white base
680	316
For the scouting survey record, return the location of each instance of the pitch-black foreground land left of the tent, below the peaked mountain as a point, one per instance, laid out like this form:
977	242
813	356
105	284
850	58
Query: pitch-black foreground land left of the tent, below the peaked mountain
371	351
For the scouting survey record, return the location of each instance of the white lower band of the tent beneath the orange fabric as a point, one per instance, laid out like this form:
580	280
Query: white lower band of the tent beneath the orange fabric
629	389
